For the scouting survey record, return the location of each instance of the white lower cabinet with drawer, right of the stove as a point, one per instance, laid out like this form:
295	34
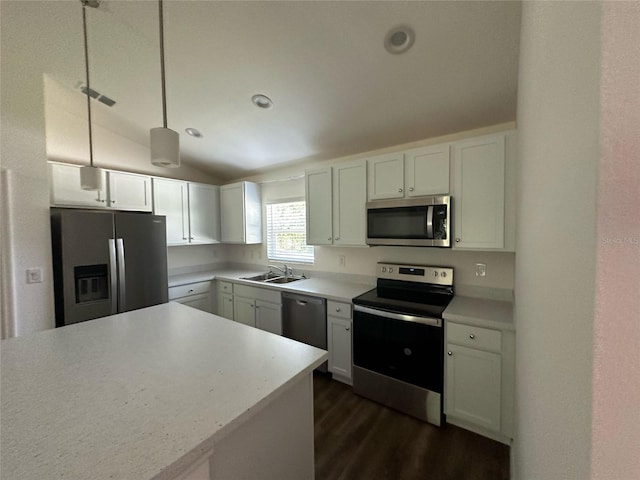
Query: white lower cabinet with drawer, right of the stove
478	391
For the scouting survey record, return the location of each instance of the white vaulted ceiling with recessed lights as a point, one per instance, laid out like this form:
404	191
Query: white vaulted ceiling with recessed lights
336	91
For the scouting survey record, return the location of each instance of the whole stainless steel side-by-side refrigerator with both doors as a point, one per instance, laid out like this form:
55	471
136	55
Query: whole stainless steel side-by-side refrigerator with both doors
106	263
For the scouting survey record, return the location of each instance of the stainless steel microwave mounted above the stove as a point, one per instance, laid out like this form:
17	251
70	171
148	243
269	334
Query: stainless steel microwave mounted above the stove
416	222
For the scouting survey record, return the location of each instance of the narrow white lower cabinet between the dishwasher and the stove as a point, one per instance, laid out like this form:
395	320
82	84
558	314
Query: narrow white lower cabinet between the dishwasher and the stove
339	340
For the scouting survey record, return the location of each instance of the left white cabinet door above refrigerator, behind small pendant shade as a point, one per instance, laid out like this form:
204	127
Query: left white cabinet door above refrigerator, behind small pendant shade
66	191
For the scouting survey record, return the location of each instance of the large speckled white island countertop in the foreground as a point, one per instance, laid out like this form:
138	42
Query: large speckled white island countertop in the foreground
139	395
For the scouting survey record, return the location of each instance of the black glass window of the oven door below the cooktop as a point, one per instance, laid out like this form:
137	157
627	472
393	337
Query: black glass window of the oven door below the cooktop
407	351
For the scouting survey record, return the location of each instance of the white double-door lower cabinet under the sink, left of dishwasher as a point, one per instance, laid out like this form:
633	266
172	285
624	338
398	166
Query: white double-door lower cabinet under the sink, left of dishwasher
256	307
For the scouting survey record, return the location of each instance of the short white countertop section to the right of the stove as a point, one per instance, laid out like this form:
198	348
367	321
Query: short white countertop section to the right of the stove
482	312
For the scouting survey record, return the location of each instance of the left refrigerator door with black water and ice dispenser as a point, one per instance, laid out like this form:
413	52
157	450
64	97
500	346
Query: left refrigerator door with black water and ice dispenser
84	268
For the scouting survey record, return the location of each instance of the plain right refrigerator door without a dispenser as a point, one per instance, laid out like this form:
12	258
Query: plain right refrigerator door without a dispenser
141	245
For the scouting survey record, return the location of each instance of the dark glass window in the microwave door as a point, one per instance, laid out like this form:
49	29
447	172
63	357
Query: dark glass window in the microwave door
401	222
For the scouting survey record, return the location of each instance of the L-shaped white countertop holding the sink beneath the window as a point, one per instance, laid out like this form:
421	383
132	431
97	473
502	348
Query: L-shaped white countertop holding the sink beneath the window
329	288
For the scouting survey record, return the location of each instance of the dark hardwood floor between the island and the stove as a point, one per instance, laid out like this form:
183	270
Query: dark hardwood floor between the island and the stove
359	439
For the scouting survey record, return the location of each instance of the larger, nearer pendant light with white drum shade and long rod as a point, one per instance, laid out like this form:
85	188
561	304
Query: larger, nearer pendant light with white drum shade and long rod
164	142
